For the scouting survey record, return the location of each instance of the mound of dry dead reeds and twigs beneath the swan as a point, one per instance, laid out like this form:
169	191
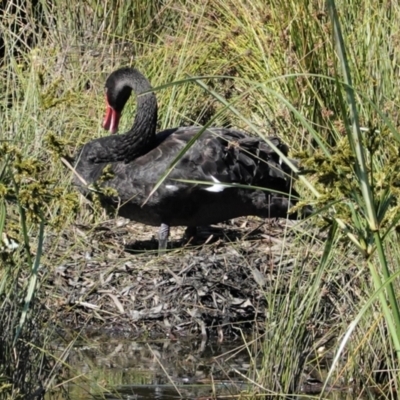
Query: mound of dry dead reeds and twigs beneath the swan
105	279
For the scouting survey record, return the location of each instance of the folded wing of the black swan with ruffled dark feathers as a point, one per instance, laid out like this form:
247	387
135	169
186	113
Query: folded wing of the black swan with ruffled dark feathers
220	155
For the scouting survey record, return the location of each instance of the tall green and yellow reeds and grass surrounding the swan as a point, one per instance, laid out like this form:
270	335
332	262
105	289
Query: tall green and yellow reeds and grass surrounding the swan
323	79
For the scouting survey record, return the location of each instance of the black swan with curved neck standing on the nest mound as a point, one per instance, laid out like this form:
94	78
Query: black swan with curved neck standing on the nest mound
220	156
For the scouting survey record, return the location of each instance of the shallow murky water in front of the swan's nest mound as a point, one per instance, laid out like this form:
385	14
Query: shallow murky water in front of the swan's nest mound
153	370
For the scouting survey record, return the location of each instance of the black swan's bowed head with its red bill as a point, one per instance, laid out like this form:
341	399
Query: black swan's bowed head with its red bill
118	92
